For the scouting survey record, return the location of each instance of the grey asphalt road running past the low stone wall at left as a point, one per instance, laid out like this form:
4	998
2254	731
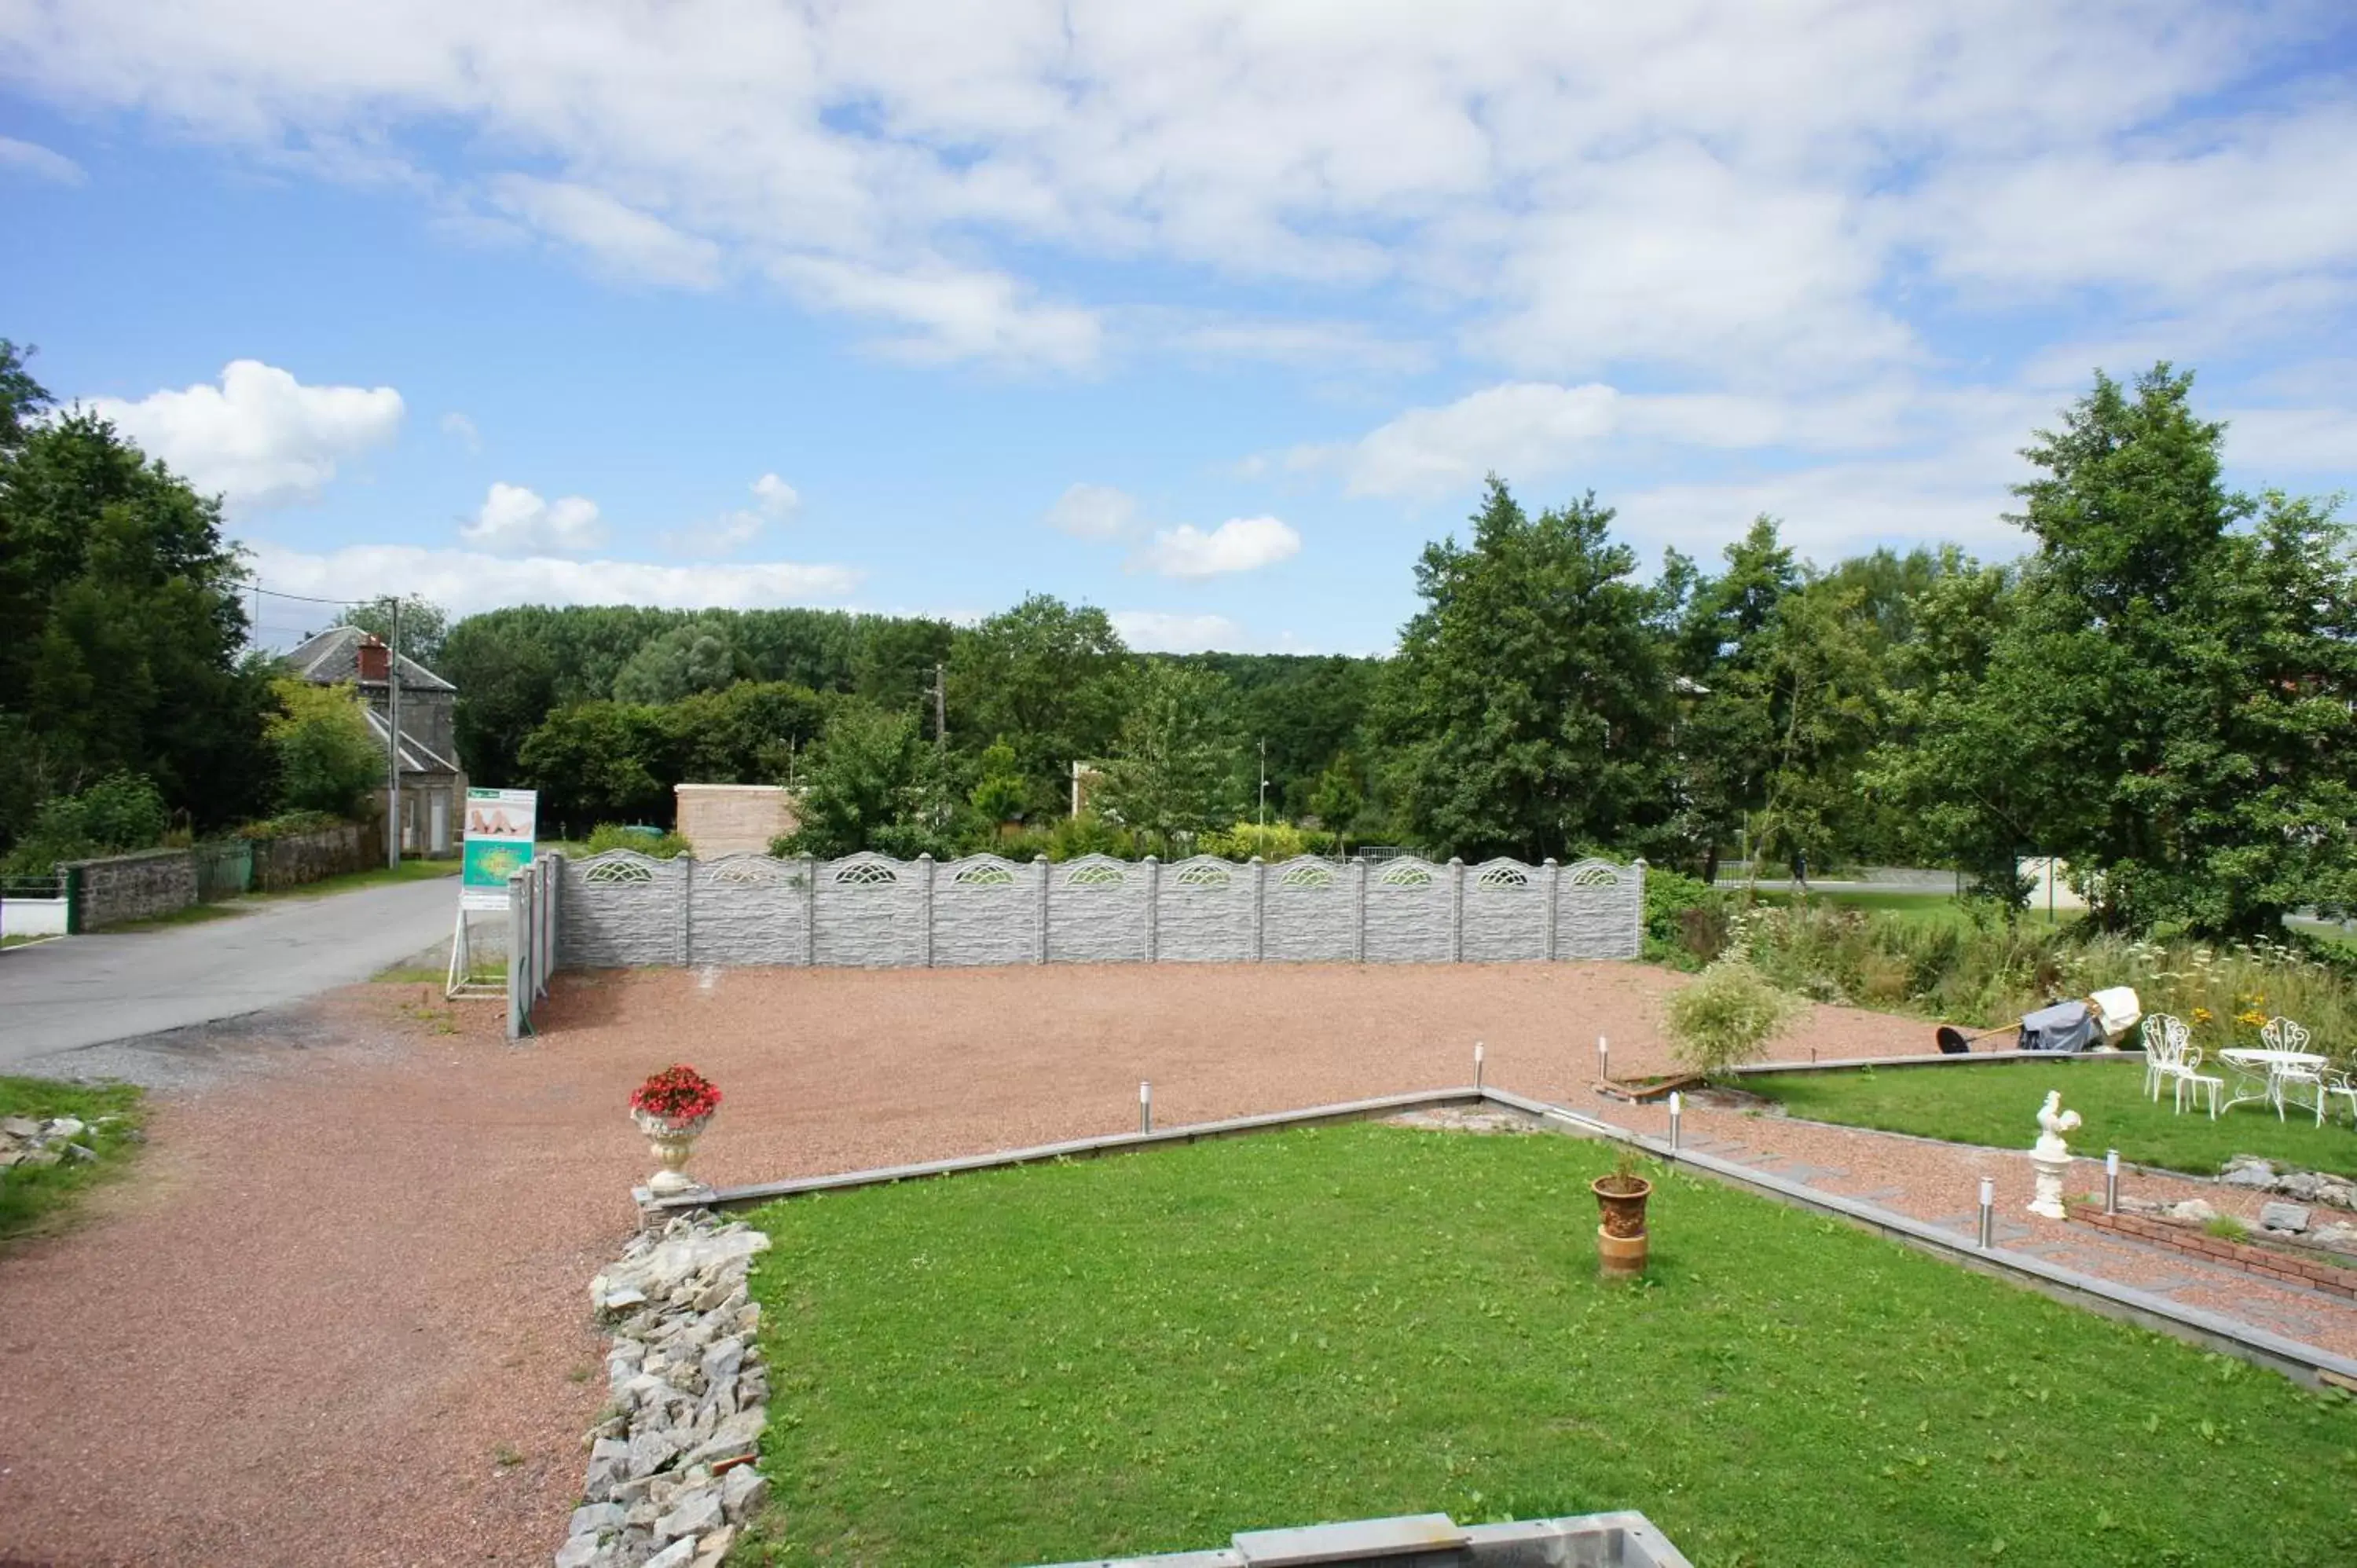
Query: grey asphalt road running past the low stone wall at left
60	996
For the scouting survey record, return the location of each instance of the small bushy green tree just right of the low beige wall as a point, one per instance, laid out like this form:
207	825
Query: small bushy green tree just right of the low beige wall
873	784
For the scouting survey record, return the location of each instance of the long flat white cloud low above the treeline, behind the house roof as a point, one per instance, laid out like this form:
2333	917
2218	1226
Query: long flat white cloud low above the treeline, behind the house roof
468	581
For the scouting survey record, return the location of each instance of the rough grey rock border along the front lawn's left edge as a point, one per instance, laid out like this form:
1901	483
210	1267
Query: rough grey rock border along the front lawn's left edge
673	1458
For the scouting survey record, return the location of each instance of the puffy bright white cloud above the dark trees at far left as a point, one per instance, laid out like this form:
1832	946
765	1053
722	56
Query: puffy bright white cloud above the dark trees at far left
260	437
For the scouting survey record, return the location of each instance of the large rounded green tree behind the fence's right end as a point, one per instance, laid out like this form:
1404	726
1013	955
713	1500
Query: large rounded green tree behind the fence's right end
1529	709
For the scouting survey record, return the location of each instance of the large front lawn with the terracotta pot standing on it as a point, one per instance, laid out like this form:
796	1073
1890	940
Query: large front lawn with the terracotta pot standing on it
1151	1352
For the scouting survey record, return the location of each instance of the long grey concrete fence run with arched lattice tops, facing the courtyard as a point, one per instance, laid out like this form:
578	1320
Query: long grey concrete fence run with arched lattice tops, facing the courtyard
623	909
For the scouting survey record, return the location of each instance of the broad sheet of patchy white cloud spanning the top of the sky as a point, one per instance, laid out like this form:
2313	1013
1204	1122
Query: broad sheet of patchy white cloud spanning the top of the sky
1738	195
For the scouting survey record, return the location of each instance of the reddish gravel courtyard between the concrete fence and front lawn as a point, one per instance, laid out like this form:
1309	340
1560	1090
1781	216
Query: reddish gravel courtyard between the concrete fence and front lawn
338	1312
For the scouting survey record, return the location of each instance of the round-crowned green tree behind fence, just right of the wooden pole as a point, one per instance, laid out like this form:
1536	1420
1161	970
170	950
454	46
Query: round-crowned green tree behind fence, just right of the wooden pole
1045	680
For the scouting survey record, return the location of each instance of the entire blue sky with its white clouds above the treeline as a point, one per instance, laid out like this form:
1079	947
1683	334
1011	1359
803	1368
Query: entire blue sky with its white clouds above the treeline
1210	315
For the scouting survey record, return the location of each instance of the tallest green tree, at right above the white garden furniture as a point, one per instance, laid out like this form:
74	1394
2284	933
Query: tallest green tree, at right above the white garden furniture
2170	692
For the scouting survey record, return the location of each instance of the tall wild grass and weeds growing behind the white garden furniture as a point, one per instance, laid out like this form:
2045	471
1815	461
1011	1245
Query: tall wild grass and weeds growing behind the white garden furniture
1979	970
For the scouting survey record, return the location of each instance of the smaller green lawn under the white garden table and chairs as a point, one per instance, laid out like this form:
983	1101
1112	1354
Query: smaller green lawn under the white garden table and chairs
1998	1102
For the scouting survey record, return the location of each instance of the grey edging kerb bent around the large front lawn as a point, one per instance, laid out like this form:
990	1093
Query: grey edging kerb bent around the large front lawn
2299	1362
